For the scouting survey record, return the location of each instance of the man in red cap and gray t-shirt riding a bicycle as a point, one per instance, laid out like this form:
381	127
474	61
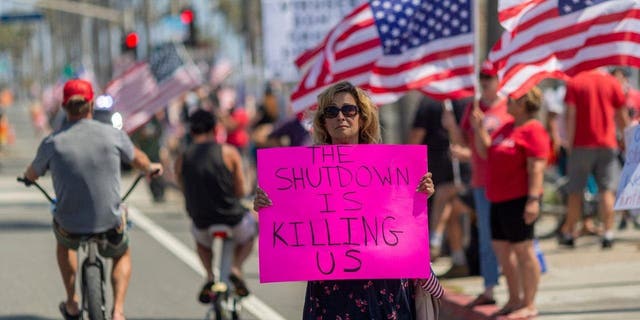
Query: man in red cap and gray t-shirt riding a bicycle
84	158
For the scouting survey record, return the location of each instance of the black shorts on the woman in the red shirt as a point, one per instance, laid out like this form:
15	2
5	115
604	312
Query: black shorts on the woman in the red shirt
507	221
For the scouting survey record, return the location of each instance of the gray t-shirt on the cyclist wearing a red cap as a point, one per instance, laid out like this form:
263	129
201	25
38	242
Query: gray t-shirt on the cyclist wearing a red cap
84	159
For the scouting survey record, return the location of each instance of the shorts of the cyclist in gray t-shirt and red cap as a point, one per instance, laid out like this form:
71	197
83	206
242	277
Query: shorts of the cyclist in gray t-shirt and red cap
117	241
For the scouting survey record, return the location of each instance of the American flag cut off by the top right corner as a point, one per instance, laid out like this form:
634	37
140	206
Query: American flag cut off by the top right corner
560	38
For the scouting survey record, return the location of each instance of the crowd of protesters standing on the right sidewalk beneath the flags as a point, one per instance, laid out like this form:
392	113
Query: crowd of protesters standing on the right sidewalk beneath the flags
577	135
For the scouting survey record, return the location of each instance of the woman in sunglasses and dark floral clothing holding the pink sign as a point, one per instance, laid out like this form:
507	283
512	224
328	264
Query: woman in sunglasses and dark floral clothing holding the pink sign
346	115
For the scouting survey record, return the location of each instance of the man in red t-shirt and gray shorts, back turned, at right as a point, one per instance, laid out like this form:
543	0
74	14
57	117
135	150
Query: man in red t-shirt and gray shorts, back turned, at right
594	98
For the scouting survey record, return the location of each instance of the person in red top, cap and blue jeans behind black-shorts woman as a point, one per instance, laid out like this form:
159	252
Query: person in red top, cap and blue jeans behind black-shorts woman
494	108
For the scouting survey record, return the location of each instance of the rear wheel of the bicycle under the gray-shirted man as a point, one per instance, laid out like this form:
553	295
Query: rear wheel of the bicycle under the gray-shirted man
93	293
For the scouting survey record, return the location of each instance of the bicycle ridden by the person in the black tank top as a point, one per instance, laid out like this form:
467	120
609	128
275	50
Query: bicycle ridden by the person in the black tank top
225	303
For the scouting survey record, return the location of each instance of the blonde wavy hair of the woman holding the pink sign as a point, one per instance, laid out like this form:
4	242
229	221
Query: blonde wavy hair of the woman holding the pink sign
369	126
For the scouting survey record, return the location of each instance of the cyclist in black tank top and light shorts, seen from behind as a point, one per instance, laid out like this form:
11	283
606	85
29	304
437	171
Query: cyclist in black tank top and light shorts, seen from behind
212	180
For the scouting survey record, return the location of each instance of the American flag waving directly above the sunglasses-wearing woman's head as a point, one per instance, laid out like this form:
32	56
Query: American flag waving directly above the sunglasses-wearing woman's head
389	47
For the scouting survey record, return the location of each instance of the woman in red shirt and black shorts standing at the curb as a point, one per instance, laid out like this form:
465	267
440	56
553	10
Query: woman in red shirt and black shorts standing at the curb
516	154
